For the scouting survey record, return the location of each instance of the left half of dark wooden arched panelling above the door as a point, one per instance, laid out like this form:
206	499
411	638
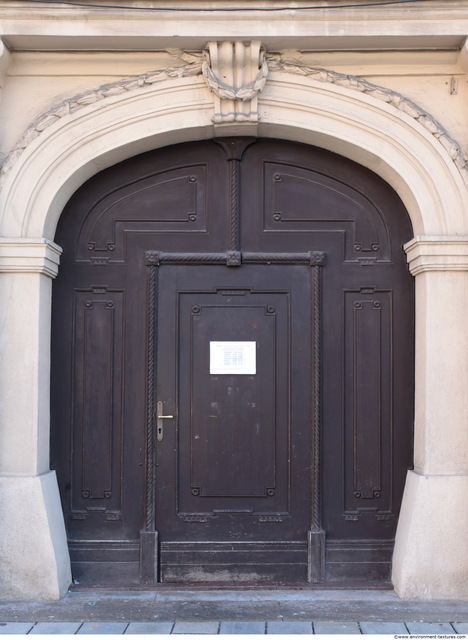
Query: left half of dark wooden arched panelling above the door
173	196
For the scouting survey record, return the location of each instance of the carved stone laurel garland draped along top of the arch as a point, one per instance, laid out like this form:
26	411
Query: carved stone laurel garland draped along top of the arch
196	64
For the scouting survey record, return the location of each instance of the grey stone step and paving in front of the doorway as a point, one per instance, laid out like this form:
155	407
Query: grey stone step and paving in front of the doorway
251	612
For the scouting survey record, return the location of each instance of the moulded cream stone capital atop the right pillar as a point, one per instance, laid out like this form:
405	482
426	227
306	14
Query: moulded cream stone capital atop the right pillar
437	253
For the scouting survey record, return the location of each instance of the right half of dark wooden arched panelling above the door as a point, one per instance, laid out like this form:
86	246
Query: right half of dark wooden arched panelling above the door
315	194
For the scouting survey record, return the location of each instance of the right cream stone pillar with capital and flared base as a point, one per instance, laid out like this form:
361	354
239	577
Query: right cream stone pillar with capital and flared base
431	550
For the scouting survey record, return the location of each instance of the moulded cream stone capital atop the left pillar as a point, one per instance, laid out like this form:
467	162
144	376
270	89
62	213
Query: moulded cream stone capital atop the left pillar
29	255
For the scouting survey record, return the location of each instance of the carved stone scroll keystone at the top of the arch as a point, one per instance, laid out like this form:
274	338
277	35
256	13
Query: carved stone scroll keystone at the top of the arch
235	72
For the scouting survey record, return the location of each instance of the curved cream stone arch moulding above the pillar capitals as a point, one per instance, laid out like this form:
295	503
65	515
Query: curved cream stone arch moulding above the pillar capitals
369	124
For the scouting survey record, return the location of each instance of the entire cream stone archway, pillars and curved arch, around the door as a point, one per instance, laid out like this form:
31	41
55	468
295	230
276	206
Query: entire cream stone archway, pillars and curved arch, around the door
359	126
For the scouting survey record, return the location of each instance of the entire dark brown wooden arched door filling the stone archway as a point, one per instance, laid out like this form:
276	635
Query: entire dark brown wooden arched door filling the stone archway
258	292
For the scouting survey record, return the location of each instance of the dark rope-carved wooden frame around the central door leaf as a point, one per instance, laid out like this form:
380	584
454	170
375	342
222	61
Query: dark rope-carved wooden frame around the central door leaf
149	558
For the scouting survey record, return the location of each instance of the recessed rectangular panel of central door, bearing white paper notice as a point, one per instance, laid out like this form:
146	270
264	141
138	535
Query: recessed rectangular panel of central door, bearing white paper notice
232	416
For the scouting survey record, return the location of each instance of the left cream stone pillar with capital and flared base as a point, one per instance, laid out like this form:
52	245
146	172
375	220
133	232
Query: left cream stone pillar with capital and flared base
34	560
